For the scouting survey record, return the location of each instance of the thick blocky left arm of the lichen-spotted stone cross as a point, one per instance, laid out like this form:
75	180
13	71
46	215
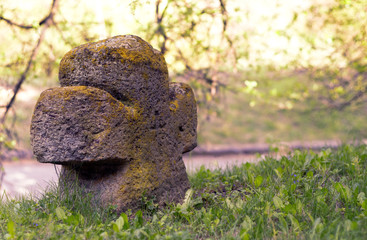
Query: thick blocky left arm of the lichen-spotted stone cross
82	124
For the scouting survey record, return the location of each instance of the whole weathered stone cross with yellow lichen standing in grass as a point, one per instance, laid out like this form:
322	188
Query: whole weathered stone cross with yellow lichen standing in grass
116	124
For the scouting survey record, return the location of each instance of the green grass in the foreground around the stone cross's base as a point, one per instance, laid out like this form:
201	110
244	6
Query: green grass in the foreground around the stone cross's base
304	195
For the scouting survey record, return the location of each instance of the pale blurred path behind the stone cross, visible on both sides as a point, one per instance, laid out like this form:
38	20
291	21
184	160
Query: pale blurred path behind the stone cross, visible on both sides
28	176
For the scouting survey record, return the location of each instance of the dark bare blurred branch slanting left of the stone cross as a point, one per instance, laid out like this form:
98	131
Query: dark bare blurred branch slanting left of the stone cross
46	23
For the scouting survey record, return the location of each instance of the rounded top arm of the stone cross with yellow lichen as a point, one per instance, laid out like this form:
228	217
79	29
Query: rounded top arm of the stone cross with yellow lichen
125	66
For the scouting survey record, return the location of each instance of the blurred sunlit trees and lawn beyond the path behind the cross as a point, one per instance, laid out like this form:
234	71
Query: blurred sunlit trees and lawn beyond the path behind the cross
263	71
